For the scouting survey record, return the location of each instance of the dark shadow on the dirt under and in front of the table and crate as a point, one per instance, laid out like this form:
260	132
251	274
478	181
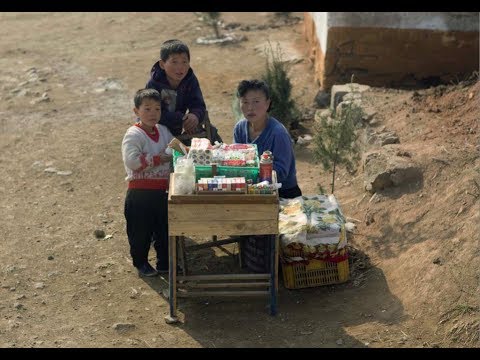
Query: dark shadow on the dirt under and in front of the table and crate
309	317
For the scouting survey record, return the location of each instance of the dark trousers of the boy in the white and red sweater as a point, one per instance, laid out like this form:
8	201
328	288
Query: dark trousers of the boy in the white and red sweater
146	212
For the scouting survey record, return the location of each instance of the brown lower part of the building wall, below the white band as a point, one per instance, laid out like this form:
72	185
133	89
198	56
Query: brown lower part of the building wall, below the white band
391	57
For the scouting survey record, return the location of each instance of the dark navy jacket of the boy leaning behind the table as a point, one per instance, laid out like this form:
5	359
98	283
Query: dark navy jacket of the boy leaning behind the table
189	97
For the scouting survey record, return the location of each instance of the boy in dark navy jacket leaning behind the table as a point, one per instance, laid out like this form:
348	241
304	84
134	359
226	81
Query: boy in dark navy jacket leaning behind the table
178	86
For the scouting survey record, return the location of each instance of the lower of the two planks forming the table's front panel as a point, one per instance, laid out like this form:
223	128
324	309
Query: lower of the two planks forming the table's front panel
220	226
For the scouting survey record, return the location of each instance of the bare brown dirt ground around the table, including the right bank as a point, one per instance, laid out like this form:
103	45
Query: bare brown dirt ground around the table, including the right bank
66	87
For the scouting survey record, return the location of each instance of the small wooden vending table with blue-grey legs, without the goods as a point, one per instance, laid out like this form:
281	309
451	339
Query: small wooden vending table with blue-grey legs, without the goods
213	214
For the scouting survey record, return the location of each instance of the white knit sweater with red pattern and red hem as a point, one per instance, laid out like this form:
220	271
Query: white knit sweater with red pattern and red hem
140	153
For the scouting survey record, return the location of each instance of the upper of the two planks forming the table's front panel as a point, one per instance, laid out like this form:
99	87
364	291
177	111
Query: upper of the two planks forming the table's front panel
223	212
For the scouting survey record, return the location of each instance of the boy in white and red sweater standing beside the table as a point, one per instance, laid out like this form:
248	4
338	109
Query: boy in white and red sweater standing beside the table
148	170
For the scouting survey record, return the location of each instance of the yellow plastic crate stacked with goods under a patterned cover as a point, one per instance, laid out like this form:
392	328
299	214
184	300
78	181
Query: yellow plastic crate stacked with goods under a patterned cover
312	241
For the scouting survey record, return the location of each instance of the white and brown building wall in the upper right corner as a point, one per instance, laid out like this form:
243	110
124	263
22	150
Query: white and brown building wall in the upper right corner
392	49
